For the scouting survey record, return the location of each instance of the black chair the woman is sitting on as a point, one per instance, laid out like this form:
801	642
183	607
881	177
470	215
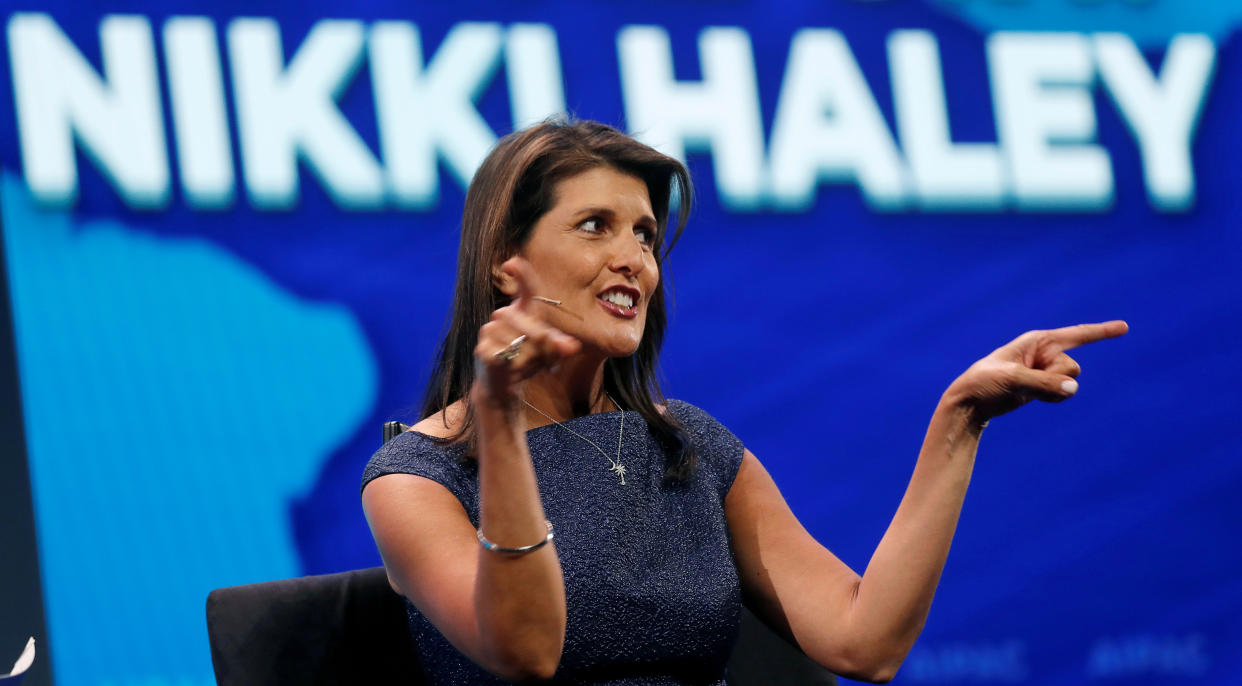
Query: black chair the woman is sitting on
351	628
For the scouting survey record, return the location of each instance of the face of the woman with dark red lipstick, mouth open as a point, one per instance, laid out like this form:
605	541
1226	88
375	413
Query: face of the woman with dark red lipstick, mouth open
593	252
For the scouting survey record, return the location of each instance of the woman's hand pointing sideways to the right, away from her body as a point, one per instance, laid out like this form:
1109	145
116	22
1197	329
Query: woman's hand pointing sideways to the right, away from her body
1034	366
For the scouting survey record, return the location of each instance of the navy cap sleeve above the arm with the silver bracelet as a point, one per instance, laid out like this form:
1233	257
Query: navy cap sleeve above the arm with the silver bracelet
413	453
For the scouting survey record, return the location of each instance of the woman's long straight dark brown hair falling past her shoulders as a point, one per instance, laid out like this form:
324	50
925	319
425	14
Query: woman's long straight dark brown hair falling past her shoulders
512	190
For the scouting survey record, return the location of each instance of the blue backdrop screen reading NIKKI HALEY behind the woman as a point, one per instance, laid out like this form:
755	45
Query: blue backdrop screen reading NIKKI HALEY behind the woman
232	237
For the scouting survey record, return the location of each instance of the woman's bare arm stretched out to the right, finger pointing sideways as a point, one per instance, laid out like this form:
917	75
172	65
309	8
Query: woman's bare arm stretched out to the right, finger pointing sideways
864	627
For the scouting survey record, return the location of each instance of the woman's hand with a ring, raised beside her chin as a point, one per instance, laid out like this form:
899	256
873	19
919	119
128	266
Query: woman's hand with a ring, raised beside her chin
496	378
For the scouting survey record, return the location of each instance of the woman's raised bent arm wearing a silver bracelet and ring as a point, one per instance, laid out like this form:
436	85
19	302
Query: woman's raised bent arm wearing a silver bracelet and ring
506	612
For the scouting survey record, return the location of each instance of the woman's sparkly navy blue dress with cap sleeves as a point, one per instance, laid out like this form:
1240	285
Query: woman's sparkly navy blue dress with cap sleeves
651	587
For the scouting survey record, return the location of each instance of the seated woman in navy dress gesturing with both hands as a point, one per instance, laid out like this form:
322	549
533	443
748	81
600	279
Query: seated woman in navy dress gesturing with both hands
543	419
